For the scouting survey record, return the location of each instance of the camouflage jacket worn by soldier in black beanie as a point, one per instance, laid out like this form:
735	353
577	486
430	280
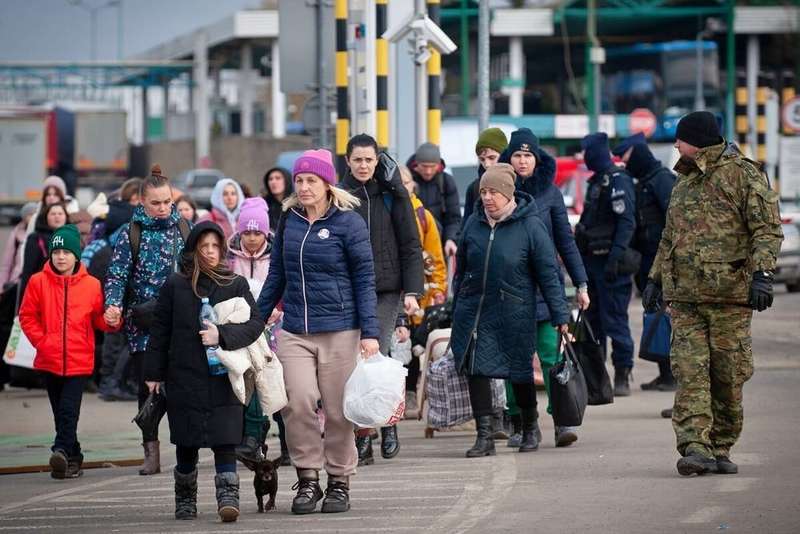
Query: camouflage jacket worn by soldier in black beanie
722	224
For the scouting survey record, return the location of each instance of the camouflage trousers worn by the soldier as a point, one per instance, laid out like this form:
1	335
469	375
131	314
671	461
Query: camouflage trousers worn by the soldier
712	358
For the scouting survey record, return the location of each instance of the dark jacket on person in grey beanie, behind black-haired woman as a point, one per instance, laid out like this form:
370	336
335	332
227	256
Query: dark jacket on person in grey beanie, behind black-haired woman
439	196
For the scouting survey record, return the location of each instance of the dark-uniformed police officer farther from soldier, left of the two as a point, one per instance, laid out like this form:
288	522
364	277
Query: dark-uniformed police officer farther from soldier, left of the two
603	235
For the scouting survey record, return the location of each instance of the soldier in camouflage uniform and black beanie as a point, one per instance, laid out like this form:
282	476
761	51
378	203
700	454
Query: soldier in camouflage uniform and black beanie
715	263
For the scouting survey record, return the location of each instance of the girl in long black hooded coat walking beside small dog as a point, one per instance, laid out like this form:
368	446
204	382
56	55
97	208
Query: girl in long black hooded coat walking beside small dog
203	410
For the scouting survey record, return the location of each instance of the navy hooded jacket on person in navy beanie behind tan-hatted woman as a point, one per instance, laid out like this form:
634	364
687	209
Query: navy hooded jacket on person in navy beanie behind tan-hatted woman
553	212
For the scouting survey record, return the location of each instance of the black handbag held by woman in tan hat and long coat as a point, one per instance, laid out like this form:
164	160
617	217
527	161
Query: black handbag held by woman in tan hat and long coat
568	394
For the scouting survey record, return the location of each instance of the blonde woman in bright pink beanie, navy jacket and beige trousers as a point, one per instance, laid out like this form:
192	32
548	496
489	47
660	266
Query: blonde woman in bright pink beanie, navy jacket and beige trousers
321	266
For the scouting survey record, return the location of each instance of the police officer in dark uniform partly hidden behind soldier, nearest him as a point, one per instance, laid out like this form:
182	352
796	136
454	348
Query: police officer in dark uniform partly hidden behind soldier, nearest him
653	186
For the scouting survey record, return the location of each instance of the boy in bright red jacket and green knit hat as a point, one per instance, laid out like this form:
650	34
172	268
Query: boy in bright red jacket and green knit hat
61	308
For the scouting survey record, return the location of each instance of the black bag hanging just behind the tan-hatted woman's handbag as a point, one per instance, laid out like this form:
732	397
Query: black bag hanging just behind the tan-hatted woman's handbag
591	356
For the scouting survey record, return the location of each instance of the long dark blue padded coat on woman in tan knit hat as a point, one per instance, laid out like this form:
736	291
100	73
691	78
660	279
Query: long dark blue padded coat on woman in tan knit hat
494	311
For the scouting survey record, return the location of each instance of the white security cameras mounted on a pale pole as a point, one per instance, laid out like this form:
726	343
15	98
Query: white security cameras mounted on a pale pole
422	33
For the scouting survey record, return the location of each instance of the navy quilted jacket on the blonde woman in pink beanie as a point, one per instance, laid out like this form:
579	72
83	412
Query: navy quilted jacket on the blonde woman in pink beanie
323	271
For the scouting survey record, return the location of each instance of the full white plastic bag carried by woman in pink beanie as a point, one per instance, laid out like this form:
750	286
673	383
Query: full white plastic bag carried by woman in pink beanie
374	395
